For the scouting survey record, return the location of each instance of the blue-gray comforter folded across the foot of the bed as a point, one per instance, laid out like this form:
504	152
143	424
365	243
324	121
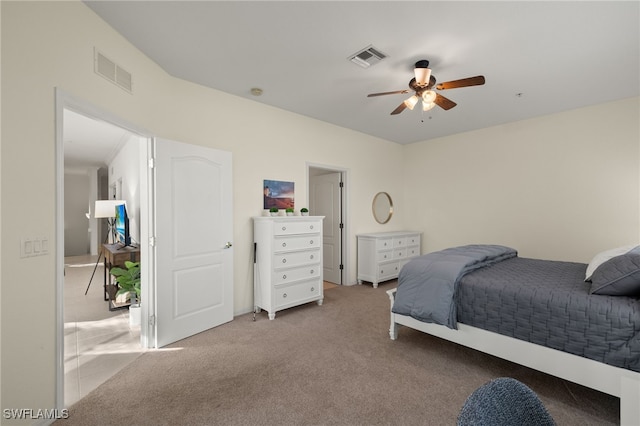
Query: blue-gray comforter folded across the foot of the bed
427	284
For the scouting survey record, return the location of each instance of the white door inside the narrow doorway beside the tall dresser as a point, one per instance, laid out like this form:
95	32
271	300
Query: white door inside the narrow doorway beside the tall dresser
326	200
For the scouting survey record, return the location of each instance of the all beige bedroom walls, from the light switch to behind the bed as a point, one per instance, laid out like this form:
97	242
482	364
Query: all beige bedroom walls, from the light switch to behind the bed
550	180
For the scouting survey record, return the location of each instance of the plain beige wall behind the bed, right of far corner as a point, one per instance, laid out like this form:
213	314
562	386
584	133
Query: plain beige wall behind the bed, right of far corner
561	187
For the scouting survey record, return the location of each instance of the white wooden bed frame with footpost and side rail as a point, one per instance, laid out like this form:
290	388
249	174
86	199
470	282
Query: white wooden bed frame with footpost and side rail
619	382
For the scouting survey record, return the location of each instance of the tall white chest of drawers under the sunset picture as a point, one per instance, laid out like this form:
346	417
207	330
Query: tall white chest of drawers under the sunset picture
288	262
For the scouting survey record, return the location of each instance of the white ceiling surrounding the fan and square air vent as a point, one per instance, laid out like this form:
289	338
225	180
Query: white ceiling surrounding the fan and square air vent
557	55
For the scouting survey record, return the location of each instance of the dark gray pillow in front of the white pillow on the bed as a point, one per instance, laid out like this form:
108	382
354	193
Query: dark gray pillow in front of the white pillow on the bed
618	276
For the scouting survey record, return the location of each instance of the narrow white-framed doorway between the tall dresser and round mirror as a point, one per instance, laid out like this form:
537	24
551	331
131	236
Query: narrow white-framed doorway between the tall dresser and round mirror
327	197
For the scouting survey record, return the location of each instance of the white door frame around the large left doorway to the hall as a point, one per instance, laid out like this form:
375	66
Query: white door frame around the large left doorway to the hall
63	101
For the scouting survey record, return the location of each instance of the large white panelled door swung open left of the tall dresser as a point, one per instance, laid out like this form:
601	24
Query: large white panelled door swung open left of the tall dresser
194	229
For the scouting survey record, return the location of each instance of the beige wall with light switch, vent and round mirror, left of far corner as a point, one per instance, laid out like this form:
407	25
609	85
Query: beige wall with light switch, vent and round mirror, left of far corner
49	45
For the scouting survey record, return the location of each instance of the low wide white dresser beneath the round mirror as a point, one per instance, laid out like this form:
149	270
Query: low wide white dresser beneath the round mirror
381	255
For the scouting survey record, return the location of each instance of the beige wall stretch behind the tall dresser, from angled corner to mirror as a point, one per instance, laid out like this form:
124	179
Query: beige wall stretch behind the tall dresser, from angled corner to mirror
268	143
